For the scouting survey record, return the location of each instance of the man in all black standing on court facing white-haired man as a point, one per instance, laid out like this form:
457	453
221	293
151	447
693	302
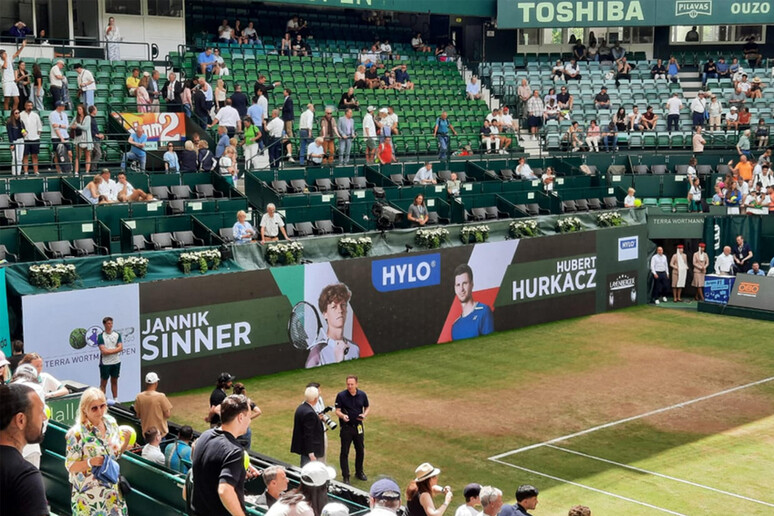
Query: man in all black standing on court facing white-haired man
352	408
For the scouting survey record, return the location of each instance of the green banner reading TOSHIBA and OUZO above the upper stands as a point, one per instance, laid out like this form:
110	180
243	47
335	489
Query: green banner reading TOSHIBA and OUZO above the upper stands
512	14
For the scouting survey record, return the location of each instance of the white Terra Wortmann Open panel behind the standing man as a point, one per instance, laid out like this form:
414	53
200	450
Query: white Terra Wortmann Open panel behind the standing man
63	328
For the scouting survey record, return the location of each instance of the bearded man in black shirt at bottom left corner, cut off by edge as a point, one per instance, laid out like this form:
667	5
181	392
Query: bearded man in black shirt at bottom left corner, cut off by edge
22	421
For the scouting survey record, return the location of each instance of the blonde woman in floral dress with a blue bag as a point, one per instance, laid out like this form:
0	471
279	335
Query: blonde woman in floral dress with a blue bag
93	436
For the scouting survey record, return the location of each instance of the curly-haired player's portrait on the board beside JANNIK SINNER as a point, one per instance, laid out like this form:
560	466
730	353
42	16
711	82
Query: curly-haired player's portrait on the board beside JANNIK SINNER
333	304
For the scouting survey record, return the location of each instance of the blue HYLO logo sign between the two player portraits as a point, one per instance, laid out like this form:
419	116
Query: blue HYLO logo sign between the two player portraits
406	272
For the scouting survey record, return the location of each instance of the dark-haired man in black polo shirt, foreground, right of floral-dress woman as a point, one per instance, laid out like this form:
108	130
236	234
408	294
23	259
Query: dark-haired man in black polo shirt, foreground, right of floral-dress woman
218	463
